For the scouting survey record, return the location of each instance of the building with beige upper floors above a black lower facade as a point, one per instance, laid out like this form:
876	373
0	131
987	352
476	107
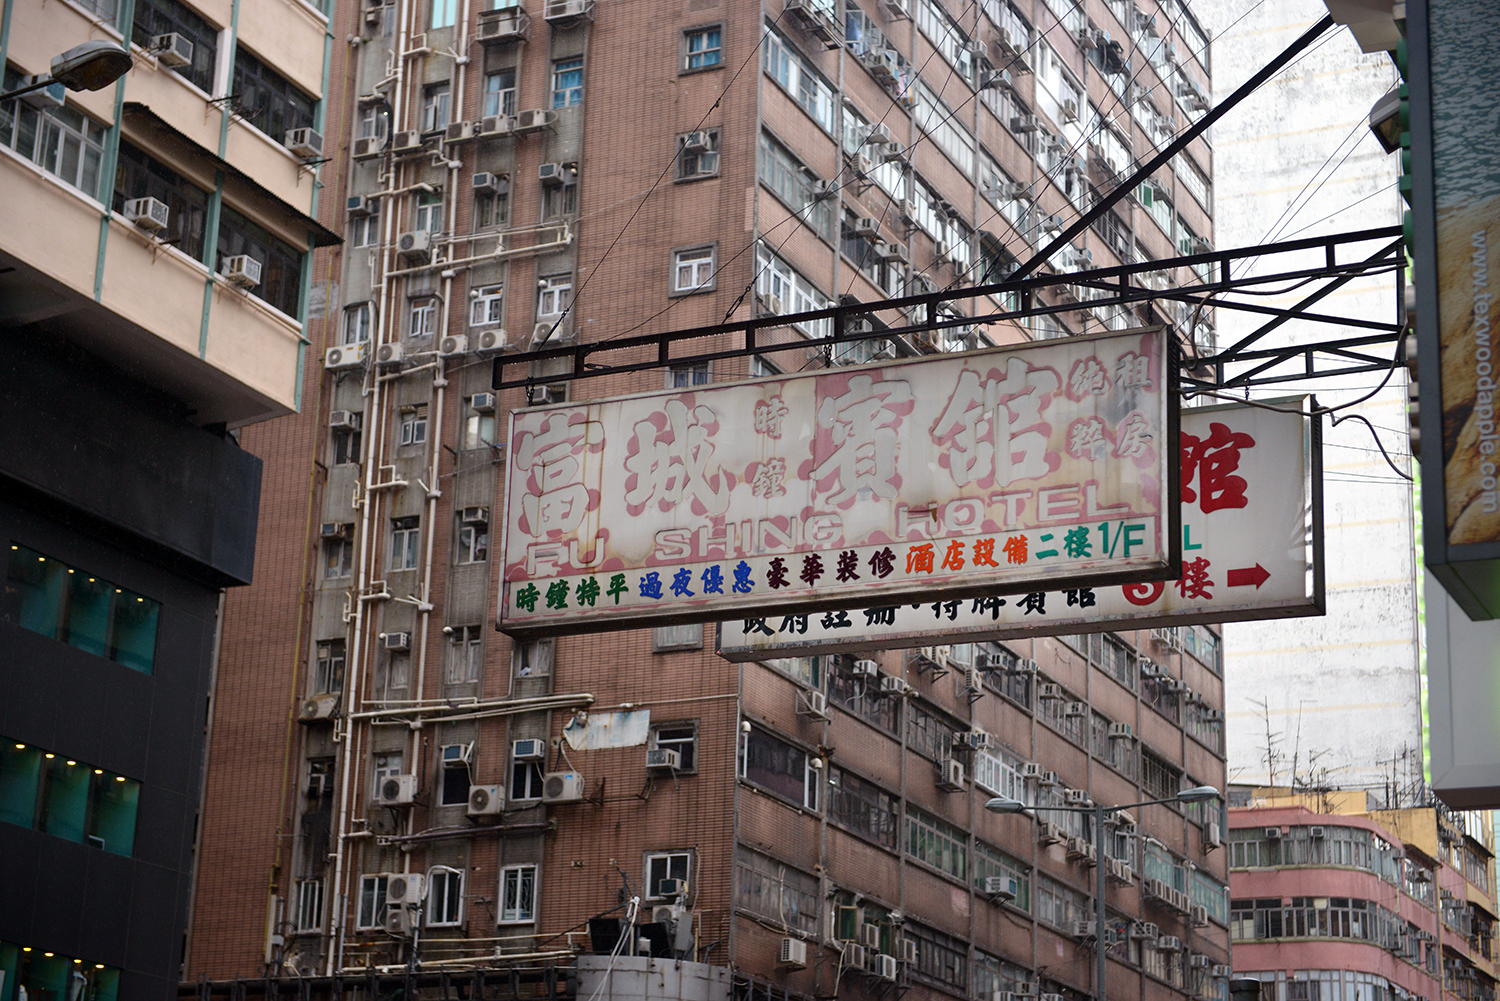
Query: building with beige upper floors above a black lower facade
155	263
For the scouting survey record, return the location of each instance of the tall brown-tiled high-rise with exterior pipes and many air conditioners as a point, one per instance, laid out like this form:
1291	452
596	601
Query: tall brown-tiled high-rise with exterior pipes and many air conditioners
397	790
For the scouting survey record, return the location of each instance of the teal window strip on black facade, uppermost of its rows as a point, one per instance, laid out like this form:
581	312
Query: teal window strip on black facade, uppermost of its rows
71	606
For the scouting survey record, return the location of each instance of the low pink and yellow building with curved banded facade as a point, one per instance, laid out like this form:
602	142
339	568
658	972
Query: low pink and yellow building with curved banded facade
1334	898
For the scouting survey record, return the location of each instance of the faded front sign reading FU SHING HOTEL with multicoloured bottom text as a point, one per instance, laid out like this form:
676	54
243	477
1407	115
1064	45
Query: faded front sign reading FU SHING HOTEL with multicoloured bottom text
1037	466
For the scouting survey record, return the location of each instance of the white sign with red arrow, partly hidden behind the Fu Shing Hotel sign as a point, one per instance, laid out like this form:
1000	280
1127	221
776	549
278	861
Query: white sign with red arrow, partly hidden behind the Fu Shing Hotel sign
1252	549
